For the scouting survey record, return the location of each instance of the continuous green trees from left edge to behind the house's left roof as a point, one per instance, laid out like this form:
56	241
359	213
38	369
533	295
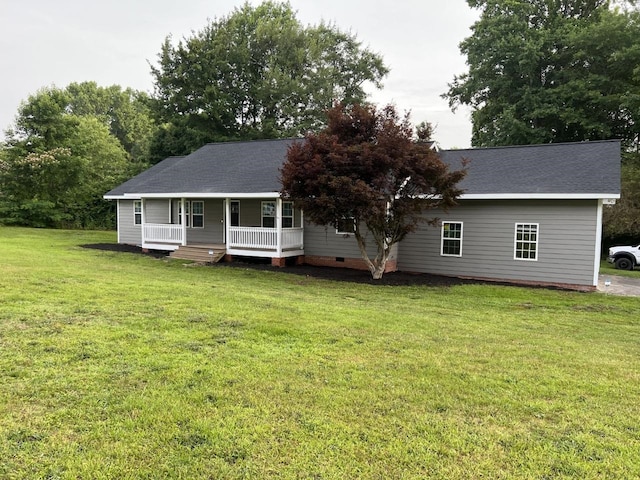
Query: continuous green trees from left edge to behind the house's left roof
257	72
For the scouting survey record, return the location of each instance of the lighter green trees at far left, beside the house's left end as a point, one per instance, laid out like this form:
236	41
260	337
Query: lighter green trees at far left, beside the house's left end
68	147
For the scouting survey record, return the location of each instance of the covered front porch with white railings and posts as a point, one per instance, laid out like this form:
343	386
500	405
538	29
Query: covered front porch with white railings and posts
255	227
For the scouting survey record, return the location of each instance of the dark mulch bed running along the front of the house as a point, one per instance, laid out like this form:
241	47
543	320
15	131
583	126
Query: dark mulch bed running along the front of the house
328	273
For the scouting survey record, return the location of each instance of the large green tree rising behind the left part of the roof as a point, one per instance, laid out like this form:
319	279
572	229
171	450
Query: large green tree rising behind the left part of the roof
256	73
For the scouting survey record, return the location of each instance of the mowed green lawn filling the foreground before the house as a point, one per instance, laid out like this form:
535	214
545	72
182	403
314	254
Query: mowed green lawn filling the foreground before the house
118	365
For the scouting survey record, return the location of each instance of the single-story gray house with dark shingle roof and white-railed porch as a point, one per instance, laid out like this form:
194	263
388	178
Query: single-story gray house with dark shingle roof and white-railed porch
529	214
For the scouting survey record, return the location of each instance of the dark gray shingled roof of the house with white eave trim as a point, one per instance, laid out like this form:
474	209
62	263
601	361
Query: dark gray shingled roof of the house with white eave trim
244	169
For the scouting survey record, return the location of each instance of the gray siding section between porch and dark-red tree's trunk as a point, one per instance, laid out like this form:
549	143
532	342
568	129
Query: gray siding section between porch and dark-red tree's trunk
325	242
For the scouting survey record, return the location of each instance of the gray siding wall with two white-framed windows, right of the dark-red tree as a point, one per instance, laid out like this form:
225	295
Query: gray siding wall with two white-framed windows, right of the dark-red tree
566	242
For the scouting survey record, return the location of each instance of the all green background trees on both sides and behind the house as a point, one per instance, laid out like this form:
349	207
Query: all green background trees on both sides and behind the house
539	71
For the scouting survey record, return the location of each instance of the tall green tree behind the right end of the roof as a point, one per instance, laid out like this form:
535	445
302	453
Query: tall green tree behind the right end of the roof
551	71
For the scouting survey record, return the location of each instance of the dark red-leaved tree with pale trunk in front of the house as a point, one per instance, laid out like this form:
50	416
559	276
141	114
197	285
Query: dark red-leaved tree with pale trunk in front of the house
365	167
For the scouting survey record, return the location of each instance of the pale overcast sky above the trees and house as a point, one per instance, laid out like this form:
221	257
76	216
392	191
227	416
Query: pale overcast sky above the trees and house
45	43
